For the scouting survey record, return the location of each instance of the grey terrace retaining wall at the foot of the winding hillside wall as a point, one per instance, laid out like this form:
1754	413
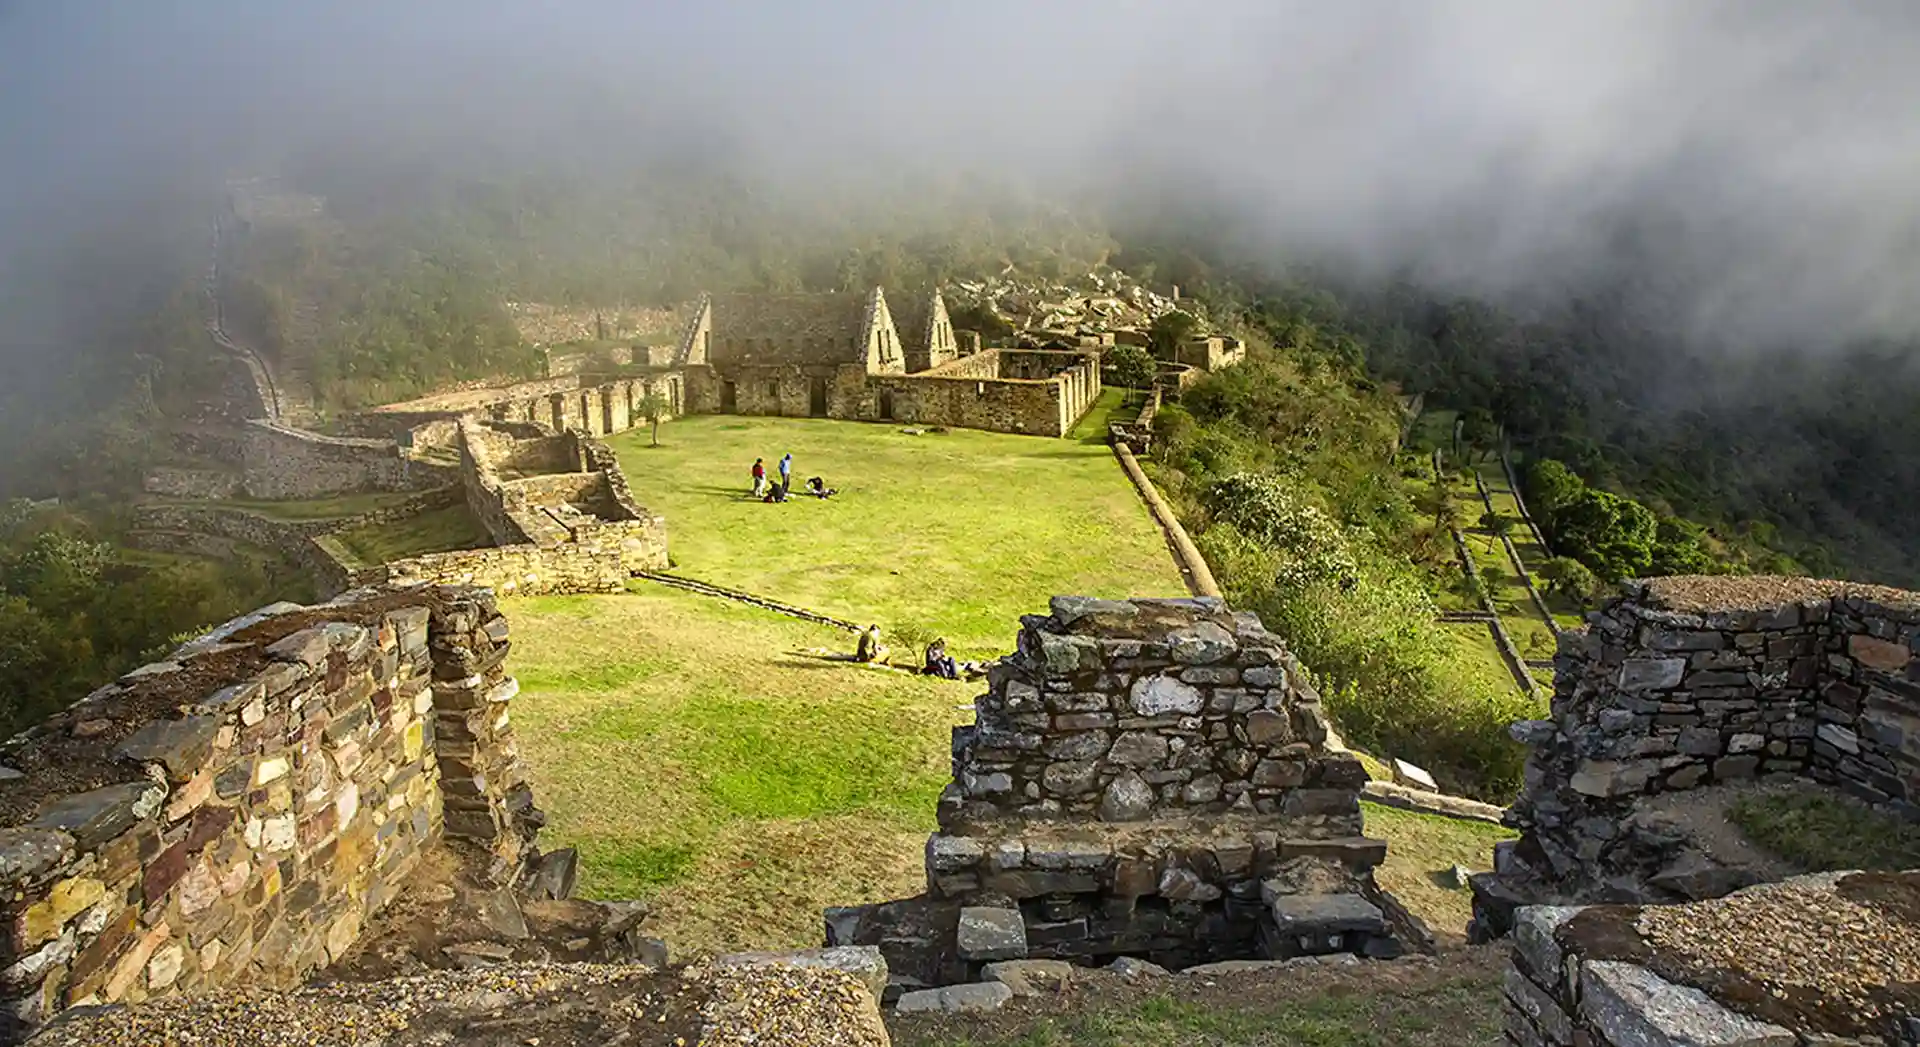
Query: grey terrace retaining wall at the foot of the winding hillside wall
289	464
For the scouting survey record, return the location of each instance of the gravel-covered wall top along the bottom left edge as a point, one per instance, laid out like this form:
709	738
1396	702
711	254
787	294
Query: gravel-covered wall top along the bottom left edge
527	1006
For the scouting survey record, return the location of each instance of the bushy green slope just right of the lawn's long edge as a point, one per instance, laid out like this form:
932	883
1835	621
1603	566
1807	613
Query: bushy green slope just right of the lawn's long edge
1287	472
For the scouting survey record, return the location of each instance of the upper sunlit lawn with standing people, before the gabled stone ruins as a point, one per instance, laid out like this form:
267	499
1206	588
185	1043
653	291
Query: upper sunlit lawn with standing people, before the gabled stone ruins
951	533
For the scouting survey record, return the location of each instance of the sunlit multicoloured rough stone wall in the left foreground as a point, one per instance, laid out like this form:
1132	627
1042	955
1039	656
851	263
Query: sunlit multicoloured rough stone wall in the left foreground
235	814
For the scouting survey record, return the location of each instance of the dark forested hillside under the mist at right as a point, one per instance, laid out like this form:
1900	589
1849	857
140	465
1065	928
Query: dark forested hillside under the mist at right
1798	460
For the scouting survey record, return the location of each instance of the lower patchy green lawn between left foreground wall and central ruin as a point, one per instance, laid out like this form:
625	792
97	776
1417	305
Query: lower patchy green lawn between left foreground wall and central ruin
700	760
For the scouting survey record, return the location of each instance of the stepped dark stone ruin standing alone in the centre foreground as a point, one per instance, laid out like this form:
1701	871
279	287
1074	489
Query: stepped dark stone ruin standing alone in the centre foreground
1145	779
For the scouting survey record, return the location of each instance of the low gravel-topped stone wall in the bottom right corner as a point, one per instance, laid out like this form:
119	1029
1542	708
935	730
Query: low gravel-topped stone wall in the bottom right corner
1817	960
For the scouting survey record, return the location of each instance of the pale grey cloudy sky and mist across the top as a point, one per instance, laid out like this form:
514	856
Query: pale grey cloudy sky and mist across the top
1489	147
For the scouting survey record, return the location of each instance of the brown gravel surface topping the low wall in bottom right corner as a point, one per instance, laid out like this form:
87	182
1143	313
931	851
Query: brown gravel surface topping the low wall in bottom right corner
1831	954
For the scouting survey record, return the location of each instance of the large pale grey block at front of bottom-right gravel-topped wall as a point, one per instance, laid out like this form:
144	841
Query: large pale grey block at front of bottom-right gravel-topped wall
1629	1004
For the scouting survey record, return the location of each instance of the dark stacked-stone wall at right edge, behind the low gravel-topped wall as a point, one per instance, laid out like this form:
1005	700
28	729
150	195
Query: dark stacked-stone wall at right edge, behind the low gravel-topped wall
1685	683
